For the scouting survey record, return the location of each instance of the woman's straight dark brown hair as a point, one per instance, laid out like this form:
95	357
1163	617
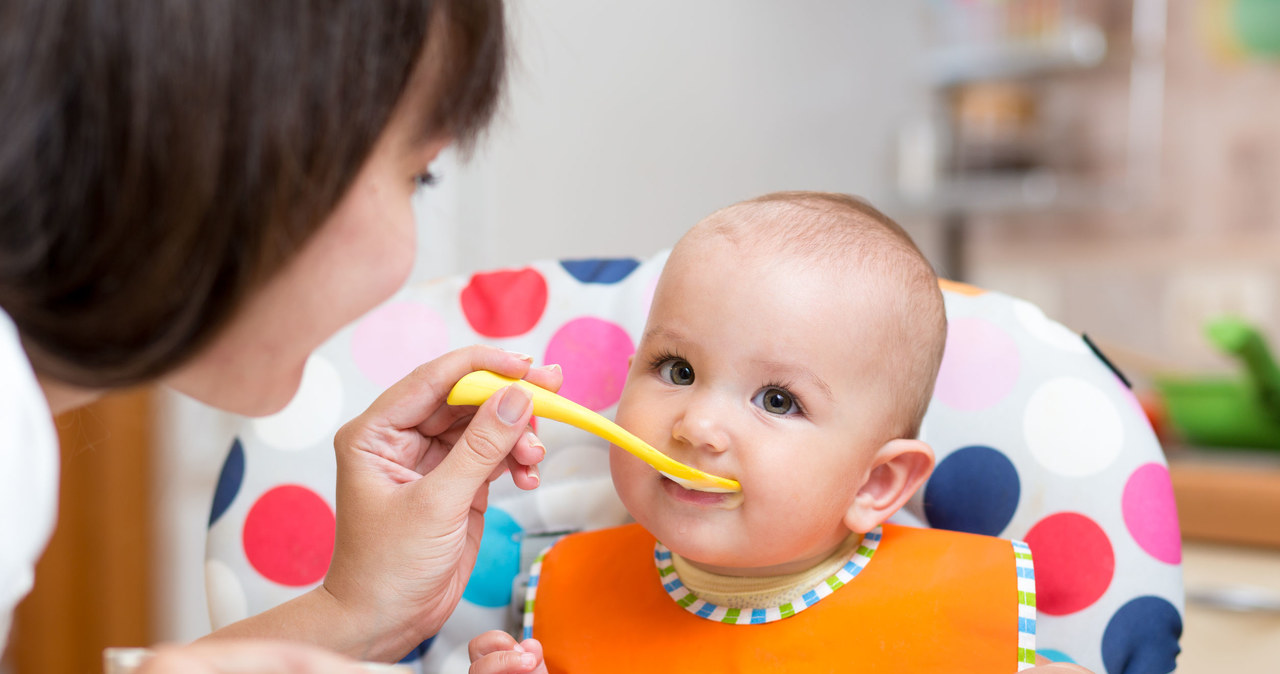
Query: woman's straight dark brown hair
161	159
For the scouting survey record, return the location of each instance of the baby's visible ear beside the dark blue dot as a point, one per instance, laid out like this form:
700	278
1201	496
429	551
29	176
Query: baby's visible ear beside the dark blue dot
900	469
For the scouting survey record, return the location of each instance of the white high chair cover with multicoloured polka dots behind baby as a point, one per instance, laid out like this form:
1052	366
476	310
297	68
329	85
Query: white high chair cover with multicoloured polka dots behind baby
1037	439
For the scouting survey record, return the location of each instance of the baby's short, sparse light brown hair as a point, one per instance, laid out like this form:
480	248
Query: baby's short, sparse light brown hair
848	233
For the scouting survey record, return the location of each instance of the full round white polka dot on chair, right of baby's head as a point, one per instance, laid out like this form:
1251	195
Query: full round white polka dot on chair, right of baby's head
1072	428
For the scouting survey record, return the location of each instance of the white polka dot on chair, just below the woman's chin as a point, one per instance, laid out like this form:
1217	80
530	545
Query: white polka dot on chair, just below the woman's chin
313	414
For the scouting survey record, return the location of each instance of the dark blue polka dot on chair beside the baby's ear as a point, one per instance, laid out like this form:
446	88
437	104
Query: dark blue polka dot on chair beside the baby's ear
976	490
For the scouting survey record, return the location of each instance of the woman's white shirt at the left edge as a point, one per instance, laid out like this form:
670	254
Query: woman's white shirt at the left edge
29	474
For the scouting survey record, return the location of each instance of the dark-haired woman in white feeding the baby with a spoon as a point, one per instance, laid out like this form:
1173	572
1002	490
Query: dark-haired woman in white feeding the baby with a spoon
199	195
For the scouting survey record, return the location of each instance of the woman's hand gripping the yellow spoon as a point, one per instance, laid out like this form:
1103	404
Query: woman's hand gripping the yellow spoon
413	487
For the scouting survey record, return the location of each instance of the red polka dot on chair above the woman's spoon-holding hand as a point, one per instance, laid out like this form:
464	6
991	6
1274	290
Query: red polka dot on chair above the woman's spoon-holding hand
505	304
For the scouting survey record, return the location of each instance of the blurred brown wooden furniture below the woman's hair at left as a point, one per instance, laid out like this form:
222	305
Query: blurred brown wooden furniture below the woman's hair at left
93	585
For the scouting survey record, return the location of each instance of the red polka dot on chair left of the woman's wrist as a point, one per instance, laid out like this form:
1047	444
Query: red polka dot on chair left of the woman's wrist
289	537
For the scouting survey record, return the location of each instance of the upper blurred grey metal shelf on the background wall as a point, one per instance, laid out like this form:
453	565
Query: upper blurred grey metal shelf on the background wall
1077	48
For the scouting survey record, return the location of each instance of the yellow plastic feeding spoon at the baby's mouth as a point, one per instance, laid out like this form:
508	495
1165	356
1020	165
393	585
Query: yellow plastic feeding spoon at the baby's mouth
478	387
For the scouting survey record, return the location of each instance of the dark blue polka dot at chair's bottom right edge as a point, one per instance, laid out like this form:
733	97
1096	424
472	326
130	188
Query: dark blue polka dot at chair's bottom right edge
1142	636
